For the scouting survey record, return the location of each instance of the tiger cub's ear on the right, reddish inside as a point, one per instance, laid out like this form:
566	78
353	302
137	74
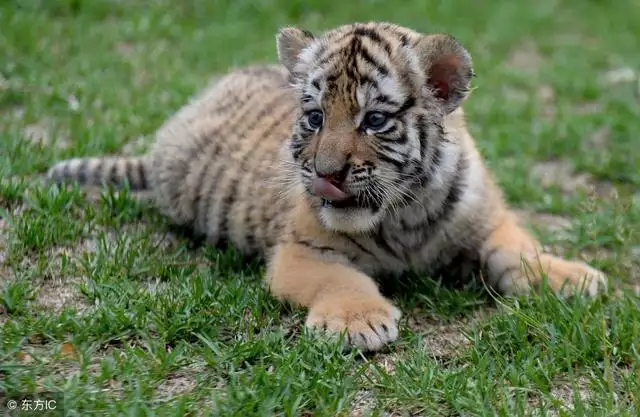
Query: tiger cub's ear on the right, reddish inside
448	68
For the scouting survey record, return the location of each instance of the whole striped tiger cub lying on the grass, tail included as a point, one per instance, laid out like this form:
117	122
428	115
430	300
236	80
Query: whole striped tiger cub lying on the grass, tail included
348	160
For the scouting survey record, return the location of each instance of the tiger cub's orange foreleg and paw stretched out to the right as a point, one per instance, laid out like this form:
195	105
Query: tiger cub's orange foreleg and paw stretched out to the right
515	263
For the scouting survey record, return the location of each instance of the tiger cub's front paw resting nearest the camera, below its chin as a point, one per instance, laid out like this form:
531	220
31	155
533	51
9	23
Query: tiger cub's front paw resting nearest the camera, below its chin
370	322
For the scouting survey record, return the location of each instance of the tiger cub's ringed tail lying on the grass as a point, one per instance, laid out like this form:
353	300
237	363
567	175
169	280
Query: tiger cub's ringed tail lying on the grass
115	170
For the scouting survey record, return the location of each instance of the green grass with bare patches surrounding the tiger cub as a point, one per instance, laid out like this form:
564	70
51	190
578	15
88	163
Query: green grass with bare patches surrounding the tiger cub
100	299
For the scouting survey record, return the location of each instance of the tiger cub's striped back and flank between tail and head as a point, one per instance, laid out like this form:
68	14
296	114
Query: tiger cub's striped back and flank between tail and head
217	164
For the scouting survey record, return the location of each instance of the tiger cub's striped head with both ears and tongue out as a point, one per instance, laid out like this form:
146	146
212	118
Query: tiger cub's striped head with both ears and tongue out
372	101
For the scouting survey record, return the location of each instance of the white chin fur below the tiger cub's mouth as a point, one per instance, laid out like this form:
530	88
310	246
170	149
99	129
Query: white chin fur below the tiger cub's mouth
351	220
